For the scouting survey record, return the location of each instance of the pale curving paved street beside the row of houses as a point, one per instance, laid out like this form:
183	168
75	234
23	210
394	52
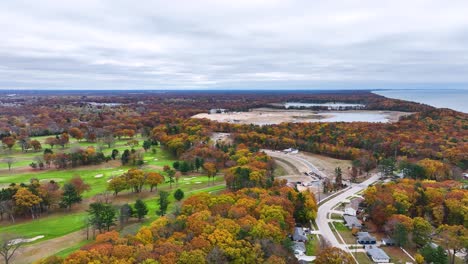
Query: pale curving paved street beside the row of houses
325	208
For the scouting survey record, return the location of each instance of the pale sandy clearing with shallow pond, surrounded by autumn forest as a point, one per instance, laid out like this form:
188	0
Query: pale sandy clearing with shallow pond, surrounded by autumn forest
268	116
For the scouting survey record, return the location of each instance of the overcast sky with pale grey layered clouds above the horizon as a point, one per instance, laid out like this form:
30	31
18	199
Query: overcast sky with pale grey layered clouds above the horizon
198	44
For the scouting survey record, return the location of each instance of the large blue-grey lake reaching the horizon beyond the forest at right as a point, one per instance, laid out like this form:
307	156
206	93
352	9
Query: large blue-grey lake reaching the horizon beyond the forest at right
451	98
